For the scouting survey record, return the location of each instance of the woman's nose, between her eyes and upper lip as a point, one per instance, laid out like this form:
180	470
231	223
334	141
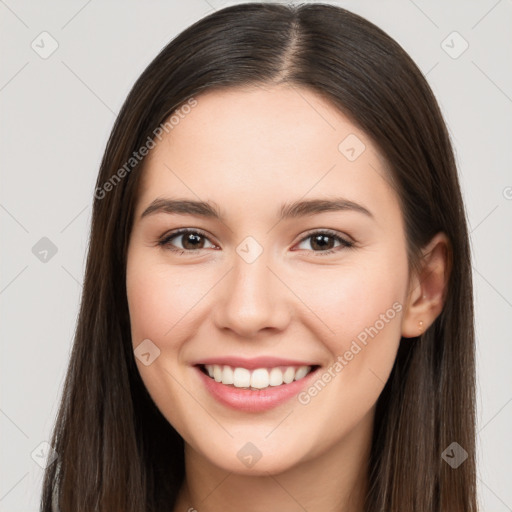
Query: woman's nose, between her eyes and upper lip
253	298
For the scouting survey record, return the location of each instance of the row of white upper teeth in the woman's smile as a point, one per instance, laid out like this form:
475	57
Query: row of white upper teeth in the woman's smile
259	378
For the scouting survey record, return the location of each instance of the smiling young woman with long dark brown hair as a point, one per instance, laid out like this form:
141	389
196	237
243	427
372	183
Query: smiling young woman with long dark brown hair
277	309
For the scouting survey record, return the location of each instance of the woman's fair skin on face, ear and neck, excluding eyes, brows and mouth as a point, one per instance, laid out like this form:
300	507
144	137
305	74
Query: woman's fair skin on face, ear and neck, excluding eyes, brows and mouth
248	151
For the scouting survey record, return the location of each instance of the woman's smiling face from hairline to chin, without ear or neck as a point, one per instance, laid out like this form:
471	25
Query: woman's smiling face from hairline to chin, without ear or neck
256	288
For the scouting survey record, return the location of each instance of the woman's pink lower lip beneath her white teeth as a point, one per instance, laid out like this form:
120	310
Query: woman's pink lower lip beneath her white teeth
254	400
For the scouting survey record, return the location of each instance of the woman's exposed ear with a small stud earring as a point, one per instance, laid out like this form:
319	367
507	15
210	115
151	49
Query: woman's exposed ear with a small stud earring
428	287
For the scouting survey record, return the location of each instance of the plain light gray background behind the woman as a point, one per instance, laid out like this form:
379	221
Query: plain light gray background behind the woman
56	117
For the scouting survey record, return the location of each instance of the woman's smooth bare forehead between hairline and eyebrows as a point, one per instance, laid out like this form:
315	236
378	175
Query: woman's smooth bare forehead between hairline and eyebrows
263	143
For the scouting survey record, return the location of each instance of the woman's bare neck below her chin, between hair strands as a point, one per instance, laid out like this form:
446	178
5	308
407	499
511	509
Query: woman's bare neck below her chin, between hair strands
334	480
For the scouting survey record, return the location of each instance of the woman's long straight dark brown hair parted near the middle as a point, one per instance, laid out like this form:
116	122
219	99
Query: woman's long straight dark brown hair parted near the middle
116	451
